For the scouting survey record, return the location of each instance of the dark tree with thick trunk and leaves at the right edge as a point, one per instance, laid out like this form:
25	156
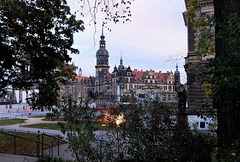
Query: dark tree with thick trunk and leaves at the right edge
226	73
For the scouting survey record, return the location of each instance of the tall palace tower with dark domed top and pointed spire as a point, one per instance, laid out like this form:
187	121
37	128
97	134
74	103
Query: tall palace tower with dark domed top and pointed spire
102	55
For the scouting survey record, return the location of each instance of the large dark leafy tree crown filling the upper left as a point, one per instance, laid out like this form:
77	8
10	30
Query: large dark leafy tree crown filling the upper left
36	39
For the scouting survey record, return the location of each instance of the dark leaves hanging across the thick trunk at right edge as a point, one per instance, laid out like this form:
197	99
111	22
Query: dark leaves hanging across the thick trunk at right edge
225	69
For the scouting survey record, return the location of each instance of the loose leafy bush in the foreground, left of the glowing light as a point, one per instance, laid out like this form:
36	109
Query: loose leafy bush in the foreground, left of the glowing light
79	129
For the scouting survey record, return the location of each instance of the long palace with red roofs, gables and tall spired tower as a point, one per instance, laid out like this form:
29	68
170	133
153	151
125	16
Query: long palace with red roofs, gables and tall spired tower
122	80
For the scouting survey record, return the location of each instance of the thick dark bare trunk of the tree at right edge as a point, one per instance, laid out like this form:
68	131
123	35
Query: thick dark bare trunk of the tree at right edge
228	114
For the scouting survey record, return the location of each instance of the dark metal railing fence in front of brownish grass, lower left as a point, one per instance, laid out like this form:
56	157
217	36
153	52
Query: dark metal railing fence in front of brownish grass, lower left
29	144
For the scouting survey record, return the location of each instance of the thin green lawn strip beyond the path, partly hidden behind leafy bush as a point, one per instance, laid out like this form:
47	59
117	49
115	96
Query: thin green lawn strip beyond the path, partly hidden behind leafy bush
56	126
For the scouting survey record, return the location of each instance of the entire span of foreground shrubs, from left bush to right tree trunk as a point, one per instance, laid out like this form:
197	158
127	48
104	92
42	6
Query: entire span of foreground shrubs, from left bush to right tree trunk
139	133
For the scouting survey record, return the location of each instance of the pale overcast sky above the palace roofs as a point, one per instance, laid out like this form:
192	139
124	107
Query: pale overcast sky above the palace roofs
156	38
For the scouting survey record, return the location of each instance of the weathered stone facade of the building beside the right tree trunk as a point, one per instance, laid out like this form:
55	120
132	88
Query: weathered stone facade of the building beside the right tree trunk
195	65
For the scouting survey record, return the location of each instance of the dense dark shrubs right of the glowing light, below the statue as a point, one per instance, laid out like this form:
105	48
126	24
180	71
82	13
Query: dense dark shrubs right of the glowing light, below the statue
149	133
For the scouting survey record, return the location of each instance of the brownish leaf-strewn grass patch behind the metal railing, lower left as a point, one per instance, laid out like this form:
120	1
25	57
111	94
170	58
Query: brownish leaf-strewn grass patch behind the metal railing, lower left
23	145
